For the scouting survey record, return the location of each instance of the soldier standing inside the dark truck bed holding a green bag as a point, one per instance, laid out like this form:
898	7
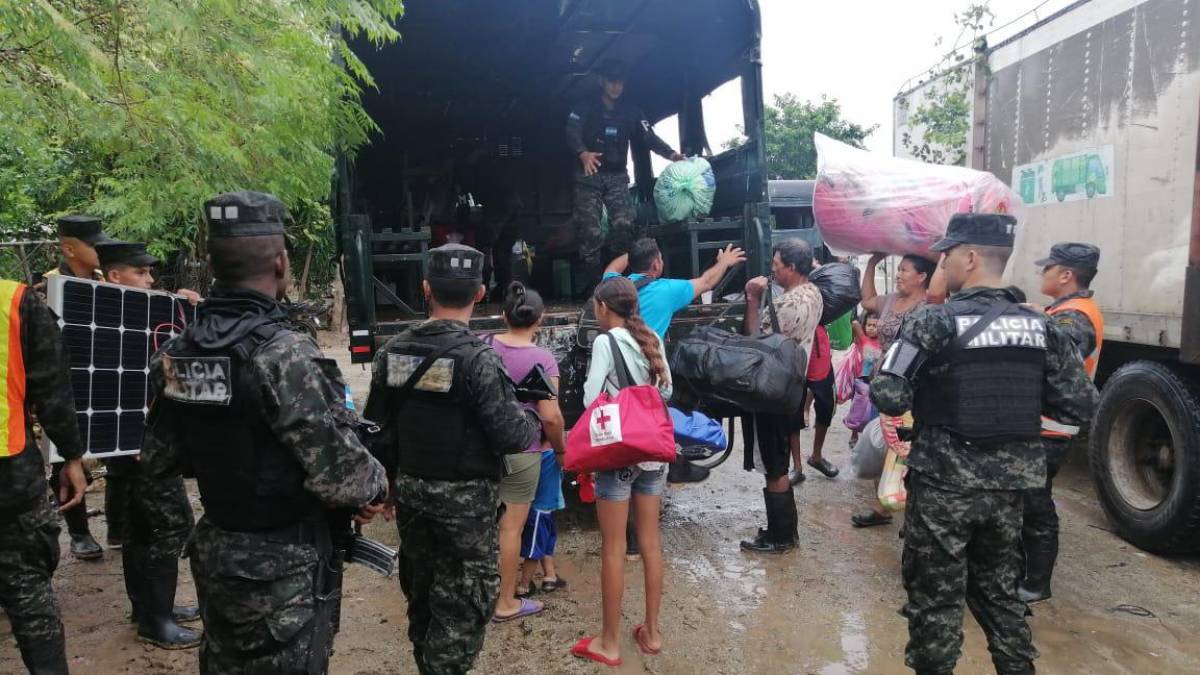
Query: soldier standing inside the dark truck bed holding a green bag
598	133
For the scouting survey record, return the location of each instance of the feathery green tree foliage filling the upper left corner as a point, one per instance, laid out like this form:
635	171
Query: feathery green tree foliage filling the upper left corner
140	110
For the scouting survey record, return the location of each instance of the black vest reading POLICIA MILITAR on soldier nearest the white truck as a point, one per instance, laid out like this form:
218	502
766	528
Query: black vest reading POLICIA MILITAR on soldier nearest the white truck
988	391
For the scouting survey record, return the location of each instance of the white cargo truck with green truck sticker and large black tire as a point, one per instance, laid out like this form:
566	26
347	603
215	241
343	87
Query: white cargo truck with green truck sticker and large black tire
1094	118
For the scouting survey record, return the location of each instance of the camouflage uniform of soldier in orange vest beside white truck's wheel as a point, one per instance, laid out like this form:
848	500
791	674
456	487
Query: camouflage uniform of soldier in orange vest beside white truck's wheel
1040	530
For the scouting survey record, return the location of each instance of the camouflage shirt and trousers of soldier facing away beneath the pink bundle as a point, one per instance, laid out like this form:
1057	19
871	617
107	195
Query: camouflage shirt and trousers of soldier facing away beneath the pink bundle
964	509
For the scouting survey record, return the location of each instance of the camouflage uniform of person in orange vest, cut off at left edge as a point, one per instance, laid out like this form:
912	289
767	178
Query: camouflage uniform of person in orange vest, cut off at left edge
29	531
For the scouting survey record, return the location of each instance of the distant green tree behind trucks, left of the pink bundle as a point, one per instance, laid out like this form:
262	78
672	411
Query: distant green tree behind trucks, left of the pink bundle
789	127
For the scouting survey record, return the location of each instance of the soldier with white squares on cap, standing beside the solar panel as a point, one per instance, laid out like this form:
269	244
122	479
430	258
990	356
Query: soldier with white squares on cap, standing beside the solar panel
259	416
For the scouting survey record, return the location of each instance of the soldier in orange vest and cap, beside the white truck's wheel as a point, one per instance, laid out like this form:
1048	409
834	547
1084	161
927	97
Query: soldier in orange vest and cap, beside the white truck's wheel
1066	277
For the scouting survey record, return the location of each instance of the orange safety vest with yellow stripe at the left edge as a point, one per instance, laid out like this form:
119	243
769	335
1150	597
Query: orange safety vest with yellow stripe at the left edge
13	371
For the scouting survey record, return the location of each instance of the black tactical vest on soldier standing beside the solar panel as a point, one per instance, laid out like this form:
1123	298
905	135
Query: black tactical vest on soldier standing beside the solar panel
249	481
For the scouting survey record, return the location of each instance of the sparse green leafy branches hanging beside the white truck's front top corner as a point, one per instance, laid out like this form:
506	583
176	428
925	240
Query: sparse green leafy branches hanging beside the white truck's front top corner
943	118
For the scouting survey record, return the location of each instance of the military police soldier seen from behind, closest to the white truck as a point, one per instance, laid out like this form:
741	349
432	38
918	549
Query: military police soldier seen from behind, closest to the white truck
977	373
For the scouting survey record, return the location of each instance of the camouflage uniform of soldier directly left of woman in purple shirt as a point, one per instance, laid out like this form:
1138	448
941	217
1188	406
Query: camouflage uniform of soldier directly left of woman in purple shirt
449	528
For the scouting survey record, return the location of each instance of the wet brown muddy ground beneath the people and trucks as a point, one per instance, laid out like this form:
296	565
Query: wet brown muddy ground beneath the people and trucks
827	608
